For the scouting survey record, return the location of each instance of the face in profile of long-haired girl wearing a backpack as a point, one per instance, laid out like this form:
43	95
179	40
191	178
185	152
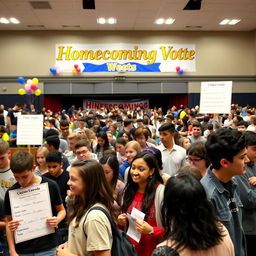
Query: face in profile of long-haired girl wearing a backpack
75	182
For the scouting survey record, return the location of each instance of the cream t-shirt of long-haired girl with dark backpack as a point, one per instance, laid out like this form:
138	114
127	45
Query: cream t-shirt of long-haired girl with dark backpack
98	233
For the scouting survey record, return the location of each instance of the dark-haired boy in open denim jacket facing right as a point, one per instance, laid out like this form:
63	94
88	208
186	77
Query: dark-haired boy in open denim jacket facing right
228	156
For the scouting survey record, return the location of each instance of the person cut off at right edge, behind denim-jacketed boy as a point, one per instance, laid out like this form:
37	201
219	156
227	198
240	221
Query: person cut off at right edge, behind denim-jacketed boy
247	190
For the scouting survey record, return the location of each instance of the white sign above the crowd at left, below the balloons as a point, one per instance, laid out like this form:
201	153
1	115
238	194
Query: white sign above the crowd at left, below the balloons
30	130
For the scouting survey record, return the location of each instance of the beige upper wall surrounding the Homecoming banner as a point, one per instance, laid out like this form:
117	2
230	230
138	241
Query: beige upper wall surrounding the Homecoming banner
30	53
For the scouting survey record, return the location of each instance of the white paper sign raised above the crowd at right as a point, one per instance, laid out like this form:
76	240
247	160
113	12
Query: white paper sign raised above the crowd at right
215	97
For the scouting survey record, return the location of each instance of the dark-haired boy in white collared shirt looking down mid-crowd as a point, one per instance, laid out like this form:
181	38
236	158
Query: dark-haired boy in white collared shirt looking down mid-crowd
173	156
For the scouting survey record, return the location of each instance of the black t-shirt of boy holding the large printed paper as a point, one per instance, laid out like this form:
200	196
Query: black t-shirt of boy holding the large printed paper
43	243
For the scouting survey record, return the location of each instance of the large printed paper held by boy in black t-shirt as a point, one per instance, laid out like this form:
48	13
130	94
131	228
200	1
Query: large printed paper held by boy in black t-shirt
31	206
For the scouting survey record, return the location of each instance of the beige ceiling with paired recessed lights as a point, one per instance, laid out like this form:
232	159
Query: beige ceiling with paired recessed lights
130	15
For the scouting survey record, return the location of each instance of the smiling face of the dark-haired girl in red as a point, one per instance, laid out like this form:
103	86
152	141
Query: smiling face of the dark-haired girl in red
140	171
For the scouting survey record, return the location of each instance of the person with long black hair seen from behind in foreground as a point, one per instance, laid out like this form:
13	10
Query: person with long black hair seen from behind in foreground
187	233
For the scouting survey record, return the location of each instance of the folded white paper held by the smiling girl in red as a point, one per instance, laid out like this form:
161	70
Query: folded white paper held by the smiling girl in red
135	215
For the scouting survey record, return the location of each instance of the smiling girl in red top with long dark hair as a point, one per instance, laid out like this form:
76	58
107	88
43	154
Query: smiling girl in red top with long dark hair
144	192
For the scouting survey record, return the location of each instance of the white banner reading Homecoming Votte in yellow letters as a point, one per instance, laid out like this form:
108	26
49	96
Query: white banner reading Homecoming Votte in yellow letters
126	57
